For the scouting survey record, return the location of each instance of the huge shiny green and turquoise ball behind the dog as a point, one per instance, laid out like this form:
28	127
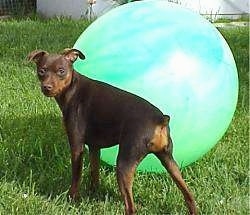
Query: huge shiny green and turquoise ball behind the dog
173	58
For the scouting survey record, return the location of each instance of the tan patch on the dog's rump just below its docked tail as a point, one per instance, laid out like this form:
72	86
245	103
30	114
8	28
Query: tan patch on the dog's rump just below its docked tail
159	140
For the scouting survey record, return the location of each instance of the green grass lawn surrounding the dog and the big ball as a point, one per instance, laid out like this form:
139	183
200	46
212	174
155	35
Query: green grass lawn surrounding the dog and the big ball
35	167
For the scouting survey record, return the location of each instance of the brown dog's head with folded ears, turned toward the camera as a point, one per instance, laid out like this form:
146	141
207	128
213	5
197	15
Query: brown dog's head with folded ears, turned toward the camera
55	70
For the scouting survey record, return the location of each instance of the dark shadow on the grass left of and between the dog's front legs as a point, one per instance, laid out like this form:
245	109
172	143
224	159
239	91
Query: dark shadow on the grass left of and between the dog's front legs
37	153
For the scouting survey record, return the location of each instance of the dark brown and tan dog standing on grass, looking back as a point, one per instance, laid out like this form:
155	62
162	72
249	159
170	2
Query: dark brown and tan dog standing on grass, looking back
100	115
